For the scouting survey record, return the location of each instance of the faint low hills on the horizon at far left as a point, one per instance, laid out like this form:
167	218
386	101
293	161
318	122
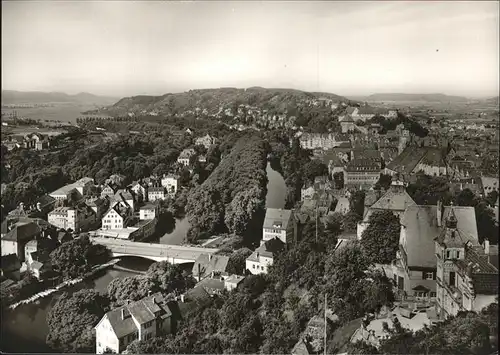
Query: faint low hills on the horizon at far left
11	97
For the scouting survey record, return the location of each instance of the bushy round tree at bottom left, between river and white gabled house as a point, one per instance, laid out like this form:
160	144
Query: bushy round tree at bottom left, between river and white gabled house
72	318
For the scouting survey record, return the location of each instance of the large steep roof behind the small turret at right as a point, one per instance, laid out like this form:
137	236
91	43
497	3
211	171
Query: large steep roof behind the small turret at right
421	227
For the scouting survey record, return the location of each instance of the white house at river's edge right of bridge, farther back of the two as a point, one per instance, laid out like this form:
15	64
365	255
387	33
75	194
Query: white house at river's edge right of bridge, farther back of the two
279	223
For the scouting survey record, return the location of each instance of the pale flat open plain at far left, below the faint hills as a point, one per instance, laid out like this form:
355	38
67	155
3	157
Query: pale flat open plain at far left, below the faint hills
63	112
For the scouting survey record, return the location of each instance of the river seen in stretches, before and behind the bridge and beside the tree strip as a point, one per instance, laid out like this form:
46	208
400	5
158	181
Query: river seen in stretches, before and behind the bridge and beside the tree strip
24	329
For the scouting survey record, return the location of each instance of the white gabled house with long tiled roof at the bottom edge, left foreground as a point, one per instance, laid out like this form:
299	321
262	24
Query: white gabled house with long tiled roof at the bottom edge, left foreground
141	320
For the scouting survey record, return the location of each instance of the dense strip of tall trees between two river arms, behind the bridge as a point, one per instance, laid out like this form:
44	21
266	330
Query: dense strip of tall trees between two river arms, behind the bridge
232	198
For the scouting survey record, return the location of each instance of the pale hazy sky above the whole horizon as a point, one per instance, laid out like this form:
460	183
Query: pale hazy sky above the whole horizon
348	48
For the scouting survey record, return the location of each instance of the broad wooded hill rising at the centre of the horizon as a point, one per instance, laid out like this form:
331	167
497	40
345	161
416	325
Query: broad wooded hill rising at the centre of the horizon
213	99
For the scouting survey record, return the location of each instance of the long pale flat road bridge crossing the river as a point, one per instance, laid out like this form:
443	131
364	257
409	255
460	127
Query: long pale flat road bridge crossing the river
174	254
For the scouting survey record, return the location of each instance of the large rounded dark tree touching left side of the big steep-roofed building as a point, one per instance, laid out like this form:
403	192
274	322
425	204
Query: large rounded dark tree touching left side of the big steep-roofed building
380	240
